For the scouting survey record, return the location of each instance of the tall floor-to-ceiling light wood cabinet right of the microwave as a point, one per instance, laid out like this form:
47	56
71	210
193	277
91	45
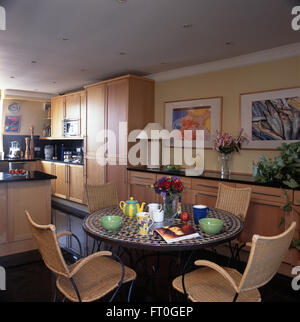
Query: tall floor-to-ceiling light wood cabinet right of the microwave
109	103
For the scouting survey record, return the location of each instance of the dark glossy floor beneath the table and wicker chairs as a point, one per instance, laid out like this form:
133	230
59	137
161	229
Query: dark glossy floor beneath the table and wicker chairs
29	280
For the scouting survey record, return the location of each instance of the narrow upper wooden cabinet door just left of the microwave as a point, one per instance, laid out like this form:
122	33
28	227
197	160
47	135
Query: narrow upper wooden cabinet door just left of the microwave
57	116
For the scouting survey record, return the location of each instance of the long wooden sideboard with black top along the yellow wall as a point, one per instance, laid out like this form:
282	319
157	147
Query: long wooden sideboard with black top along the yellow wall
264	213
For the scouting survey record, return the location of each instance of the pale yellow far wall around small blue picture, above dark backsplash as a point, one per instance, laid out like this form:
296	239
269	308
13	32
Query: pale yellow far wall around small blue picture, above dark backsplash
31	112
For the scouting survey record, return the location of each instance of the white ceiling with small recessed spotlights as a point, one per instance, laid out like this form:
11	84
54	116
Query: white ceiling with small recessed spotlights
149	32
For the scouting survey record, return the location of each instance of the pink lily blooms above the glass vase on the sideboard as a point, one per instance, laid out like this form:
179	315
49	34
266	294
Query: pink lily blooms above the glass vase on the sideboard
226	143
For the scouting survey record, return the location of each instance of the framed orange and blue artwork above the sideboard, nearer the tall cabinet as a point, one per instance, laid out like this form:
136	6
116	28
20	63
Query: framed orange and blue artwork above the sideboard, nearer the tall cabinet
195	114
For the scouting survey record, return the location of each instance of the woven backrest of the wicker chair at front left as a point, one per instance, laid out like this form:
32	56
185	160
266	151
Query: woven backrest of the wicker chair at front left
45	237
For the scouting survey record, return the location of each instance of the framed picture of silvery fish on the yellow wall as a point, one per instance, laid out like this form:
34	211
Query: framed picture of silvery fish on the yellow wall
270	118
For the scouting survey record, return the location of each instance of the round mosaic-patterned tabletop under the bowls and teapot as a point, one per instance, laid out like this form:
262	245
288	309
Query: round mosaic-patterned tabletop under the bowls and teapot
128	236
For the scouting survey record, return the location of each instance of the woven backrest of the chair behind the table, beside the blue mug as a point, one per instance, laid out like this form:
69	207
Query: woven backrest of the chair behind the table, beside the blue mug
234	200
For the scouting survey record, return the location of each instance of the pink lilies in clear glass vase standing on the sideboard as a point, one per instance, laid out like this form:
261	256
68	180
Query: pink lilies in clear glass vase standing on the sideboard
226	144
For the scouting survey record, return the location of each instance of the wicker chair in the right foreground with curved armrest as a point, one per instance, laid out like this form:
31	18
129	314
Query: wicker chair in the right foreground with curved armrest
213	283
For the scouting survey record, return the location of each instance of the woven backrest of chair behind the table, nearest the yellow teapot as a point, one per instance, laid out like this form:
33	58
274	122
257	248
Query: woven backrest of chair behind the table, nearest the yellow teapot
101	196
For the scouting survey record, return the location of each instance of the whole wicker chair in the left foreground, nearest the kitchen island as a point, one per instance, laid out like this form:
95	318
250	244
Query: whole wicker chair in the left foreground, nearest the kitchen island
88	279
